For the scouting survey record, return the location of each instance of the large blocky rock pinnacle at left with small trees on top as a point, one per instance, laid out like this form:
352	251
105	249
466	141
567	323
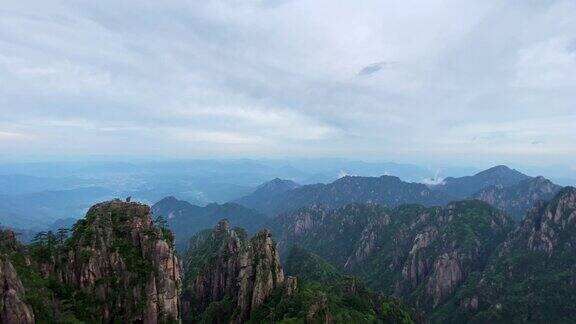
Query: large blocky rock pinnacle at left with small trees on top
118	256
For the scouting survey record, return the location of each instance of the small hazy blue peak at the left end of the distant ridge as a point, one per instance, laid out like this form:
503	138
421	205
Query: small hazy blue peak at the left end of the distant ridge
267	193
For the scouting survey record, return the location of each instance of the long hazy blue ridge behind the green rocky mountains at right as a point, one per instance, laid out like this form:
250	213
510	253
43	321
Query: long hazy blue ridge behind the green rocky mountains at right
502	187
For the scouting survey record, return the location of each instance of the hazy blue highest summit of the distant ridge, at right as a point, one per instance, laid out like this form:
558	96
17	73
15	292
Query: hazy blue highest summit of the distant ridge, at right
464	187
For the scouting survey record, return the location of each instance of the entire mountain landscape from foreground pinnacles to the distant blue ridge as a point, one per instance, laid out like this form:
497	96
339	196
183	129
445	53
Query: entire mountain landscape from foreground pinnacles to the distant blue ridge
495	247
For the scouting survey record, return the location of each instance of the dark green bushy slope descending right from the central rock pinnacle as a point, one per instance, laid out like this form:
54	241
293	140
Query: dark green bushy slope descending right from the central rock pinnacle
323	293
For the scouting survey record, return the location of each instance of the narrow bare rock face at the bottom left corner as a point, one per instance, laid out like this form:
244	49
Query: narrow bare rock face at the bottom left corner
13	309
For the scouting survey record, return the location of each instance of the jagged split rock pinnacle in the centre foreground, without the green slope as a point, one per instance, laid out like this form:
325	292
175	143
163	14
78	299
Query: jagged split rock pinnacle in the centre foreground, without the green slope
224	266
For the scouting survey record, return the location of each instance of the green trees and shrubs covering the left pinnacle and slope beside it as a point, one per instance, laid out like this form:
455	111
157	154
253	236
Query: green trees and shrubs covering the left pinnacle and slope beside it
104	231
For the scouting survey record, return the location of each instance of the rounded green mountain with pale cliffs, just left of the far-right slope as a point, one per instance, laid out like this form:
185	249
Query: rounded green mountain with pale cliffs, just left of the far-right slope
447	247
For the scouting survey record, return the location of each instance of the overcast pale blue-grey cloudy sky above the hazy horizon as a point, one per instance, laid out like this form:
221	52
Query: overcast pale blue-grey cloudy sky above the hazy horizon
447	81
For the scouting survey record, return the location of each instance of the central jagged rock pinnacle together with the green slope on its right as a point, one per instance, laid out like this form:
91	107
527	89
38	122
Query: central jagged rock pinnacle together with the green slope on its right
231	279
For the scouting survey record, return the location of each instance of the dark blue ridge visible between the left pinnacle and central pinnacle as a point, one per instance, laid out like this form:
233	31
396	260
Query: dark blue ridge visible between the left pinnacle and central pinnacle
186	219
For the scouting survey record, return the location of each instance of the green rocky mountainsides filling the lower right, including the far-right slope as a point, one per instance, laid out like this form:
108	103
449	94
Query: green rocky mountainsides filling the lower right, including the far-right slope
466	262
